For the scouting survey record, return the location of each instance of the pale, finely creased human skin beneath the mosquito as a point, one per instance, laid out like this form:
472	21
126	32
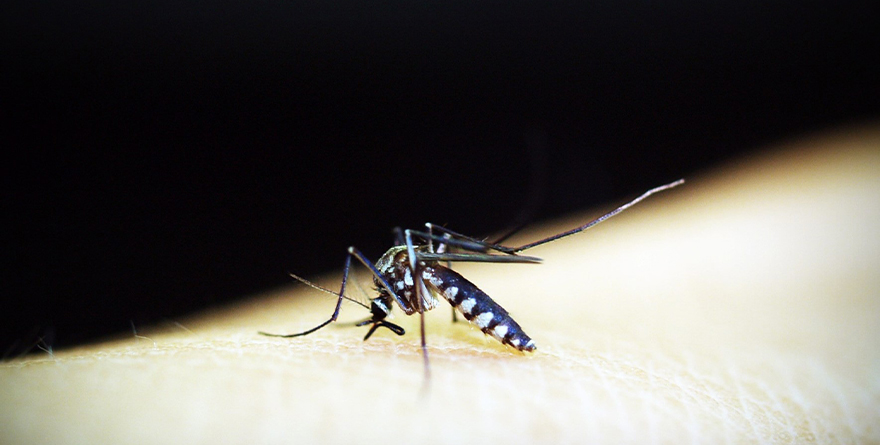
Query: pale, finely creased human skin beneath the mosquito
741	307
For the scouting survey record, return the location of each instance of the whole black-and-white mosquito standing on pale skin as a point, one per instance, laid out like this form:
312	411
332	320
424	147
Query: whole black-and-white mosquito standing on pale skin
415	275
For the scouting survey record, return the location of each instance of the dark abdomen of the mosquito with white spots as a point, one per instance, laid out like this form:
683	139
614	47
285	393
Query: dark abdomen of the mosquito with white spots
477	307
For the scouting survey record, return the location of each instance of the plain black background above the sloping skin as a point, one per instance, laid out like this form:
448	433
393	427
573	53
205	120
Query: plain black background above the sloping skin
163	157
